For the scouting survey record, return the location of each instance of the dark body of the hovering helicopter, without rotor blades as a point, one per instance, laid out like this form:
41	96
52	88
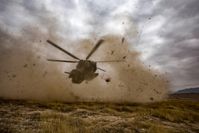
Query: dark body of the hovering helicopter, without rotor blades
85	70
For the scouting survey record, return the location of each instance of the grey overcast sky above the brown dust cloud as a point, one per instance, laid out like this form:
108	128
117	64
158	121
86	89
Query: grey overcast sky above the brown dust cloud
166	32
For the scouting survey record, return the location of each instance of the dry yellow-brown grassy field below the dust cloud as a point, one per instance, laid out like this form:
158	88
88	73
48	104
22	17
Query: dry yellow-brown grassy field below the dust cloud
18	116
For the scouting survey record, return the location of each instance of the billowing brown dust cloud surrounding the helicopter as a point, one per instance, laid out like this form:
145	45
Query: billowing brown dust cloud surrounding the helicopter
26	74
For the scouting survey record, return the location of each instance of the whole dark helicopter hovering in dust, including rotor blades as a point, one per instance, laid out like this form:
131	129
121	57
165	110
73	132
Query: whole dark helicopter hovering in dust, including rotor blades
85	68
